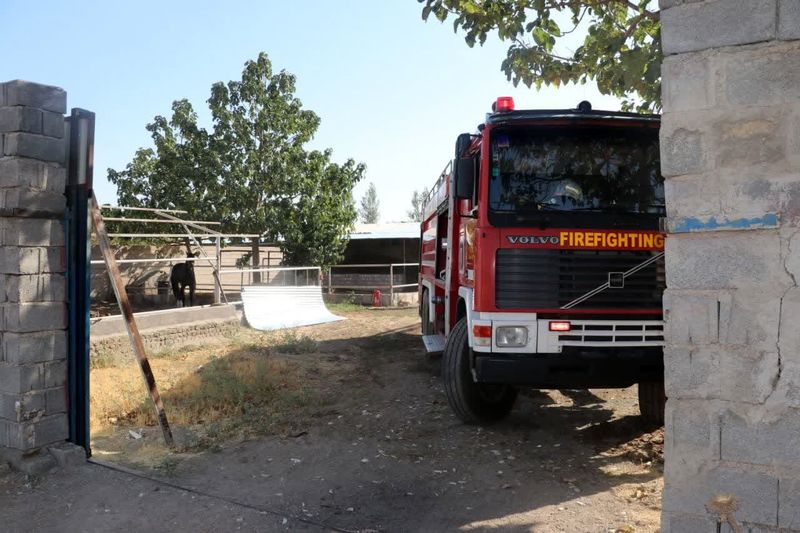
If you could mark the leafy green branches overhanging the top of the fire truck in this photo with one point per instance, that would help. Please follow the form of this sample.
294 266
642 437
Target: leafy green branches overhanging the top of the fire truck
621 50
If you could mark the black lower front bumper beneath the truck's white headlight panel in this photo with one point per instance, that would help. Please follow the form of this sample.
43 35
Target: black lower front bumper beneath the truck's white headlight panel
573 368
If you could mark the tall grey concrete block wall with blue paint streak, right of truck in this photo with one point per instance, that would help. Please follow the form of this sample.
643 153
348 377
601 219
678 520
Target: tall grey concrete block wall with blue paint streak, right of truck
731 158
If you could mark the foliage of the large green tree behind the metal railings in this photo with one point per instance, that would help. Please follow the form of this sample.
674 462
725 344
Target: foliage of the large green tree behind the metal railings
251 170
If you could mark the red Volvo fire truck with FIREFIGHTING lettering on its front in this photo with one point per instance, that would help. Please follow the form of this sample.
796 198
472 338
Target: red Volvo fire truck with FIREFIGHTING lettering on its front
542 261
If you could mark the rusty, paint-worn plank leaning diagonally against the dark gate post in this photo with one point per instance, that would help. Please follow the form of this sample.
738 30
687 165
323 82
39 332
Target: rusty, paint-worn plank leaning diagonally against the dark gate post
130 322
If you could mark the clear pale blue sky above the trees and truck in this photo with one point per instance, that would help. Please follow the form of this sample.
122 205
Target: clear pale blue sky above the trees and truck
391 90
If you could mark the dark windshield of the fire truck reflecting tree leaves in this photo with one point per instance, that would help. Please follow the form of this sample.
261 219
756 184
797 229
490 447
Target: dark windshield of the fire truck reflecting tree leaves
575 177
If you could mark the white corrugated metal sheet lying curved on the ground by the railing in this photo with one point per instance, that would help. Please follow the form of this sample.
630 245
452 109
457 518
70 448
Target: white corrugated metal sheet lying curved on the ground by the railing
268 308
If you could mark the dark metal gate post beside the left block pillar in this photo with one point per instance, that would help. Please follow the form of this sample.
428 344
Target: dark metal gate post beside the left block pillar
79 131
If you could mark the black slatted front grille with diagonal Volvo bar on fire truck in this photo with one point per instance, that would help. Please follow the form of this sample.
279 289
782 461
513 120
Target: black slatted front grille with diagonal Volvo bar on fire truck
536 278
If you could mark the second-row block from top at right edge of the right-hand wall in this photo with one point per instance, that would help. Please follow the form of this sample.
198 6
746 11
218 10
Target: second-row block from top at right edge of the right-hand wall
769 77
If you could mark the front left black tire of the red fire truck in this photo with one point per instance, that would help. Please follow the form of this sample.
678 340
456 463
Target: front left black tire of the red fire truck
473 403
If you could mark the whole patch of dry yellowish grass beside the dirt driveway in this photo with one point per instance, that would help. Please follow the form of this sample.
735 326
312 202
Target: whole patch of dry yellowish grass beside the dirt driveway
232 387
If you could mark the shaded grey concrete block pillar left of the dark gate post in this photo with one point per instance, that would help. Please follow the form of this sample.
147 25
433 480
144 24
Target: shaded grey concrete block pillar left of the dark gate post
33 337
